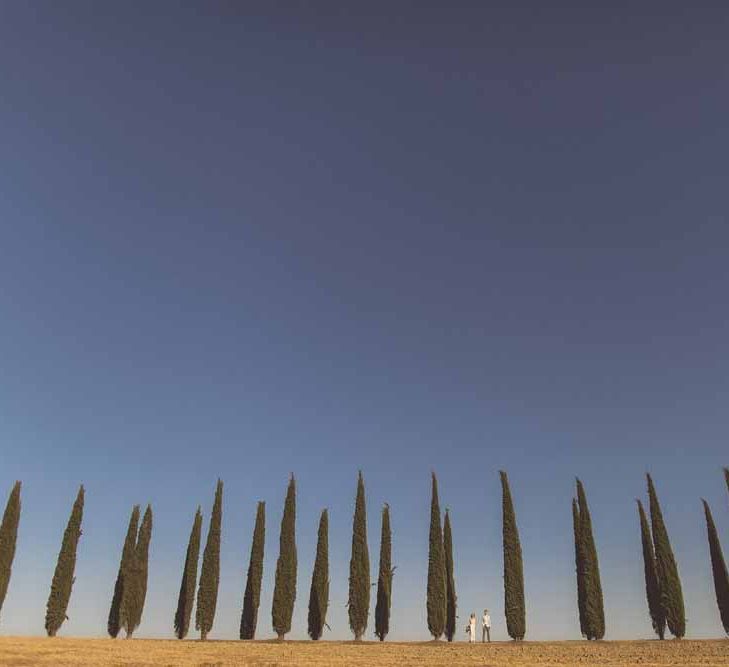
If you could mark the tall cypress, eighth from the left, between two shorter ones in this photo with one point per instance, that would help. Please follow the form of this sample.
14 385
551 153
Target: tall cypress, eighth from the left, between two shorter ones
284 590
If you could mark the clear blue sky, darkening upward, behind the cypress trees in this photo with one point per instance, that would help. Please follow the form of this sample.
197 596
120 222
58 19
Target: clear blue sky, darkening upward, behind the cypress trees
242 240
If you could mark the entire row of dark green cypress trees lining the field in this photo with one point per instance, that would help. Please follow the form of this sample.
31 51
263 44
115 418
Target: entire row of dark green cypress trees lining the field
662 582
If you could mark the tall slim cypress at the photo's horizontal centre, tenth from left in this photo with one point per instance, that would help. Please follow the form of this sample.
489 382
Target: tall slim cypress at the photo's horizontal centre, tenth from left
359 567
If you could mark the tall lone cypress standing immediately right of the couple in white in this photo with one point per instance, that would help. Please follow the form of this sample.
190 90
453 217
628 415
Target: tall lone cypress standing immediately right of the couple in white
513 567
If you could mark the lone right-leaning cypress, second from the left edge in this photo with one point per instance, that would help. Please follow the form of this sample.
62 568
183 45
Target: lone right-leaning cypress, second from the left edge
63 576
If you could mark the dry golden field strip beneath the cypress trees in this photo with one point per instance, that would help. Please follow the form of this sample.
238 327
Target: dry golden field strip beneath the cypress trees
63 651
